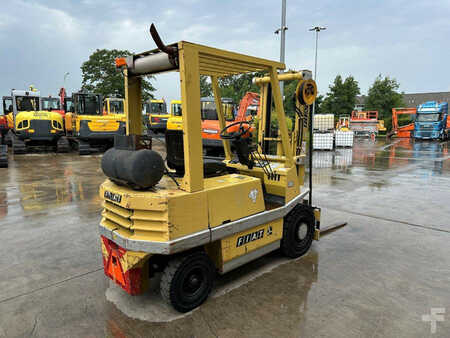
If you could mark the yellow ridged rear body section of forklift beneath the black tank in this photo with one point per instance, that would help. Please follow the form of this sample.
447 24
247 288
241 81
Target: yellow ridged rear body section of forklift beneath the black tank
160 215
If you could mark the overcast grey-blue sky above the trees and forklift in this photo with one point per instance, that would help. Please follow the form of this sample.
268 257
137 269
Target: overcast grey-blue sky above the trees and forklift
405 39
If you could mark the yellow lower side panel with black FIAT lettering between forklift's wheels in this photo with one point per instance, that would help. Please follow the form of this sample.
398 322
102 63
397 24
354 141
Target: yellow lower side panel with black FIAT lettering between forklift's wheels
252 239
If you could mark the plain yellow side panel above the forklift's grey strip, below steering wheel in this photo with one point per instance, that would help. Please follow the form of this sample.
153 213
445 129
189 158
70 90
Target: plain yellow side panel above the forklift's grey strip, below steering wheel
231 197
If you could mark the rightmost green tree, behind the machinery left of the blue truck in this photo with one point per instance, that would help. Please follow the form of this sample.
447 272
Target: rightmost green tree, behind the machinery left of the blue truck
383 95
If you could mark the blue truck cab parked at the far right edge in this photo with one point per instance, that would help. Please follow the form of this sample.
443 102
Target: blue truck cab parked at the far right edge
431 121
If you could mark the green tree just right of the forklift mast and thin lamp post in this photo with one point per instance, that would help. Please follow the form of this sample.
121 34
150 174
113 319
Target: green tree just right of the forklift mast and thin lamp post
341 97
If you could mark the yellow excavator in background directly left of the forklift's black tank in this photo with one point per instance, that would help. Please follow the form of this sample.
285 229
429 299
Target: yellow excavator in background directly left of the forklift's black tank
86 126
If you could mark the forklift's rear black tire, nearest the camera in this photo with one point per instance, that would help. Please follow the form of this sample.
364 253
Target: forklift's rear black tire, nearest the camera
187 281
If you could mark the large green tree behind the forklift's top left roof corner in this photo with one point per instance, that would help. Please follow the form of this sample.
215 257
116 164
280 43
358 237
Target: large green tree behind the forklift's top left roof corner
101 76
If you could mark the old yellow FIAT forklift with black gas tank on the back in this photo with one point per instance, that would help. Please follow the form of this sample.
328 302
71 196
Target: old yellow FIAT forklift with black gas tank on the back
155 220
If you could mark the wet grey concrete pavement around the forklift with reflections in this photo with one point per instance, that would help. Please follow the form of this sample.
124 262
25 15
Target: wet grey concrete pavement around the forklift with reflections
375 277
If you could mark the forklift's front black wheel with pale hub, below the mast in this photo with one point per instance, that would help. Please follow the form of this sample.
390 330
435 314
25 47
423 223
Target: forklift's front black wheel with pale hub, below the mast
298 232
